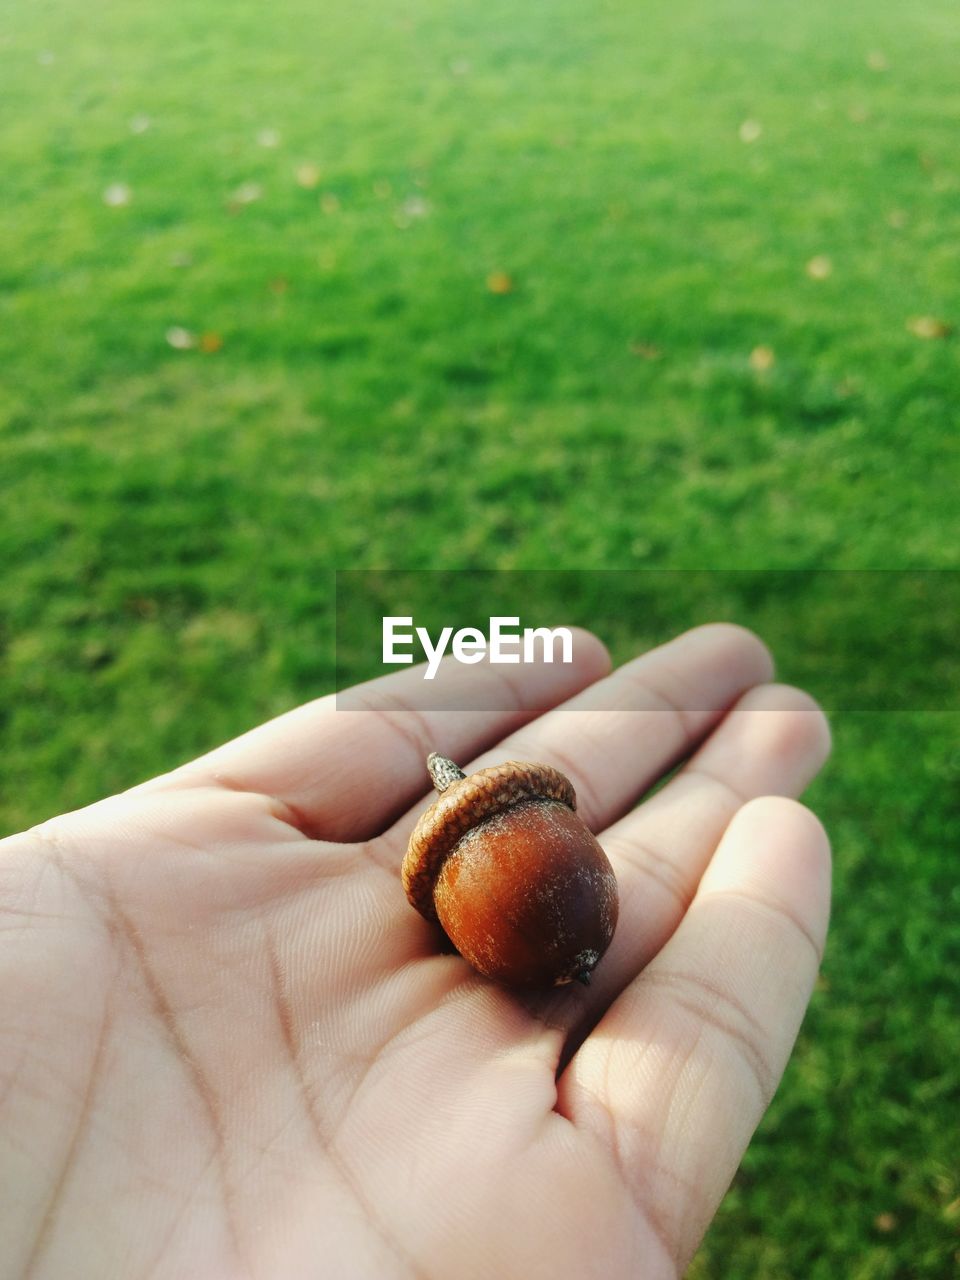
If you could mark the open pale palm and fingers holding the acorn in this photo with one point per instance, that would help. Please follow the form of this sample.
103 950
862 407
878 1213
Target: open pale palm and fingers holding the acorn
230 1050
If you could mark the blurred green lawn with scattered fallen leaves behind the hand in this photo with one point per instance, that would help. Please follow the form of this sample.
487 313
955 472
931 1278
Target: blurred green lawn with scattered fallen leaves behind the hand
299 287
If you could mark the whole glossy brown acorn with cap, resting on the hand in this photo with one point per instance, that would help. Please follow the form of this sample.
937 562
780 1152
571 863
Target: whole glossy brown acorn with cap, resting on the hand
506 866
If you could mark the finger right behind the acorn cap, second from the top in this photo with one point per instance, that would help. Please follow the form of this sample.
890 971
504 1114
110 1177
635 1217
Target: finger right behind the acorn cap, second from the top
615 739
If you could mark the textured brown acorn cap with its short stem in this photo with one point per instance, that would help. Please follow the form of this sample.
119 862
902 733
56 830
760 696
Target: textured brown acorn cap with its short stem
464 804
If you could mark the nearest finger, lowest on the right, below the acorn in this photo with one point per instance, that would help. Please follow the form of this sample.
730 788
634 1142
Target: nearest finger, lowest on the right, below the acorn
679 1073
